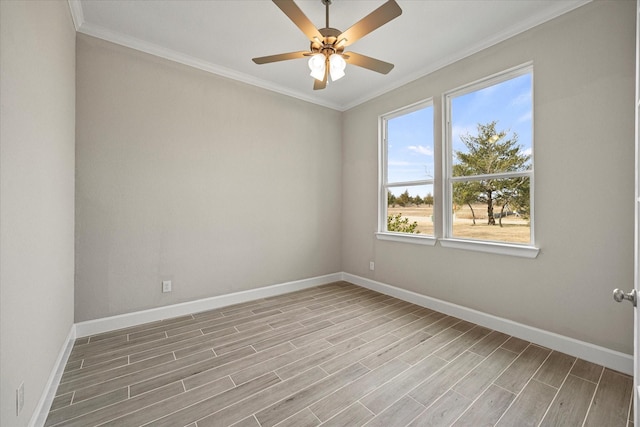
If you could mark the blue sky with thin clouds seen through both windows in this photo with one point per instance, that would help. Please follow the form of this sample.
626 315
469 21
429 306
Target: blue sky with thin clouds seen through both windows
410 136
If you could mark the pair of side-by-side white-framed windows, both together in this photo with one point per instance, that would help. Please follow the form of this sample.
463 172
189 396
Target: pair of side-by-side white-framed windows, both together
483 179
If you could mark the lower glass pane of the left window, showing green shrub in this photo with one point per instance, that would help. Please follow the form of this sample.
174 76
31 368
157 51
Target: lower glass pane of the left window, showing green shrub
410 210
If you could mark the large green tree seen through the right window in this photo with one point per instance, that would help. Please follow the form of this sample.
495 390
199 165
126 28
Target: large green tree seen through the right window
491 152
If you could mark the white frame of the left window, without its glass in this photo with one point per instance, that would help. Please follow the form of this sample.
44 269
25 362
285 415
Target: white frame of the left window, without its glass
384 185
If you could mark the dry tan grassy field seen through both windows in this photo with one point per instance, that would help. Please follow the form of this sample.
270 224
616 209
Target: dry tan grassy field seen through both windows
514 229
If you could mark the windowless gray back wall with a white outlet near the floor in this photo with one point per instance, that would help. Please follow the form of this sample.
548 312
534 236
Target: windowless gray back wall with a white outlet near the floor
186 176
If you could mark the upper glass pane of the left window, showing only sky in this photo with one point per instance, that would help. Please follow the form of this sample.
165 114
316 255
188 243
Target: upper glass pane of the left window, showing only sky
410 146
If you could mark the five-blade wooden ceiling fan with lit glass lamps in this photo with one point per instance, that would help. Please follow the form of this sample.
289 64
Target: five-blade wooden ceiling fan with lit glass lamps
326 54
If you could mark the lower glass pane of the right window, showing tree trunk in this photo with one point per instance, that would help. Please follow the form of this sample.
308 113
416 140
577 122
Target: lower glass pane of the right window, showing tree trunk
497 210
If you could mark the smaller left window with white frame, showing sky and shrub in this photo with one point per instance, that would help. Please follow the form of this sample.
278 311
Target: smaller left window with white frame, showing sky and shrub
407 201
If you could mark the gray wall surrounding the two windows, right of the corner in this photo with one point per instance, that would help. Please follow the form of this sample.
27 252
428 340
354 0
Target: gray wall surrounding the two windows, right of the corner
584 163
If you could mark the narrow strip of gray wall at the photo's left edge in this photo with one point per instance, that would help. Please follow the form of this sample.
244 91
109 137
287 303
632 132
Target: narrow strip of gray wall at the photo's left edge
37 58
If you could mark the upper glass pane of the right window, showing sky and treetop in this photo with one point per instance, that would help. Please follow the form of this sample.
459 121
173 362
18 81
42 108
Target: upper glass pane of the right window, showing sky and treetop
492 128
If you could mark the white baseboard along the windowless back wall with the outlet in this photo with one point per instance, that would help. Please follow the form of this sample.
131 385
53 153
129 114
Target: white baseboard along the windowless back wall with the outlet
106 324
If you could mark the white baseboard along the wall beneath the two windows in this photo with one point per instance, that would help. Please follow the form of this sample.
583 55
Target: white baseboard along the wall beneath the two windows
615 360
